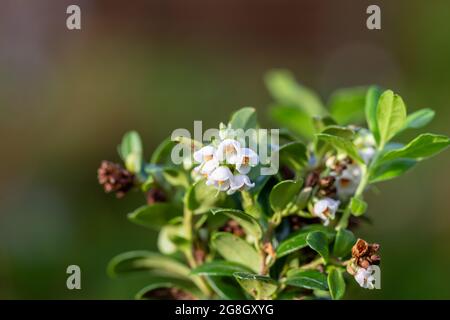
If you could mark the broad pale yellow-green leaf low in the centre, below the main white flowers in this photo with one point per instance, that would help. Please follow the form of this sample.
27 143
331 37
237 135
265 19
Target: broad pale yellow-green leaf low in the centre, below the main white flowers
237 250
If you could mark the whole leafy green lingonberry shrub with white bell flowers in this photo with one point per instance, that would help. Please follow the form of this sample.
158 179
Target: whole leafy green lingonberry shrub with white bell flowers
228 231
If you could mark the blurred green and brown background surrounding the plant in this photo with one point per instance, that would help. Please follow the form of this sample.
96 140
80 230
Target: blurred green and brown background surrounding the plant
66 98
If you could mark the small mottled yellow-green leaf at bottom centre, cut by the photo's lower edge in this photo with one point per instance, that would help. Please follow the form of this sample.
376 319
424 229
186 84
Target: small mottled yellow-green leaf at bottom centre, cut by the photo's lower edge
259 287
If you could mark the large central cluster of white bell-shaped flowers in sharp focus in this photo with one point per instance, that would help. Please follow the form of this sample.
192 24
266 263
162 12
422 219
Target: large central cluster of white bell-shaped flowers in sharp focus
226 165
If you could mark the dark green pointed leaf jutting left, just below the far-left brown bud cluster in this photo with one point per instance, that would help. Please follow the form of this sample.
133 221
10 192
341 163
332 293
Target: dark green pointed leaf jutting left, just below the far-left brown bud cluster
156 215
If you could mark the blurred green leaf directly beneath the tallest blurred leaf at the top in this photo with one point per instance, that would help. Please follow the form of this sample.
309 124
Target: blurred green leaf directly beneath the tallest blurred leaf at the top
294 119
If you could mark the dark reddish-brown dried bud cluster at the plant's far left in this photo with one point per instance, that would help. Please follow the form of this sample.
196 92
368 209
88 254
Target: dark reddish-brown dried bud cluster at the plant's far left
114 178
